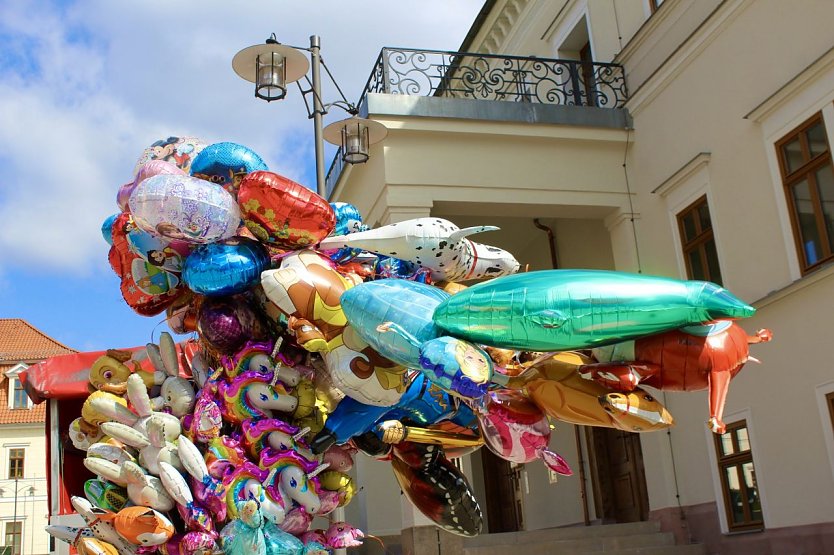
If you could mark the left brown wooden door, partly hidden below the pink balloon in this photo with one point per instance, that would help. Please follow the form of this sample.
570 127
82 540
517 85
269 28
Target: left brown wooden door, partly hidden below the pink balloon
504 501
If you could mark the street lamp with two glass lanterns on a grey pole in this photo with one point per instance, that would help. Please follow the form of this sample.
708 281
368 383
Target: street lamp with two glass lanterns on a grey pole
272 66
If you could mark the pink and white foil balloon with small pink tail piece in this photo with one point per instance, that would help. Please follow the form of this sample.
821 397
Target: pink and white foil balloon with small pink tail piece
516 430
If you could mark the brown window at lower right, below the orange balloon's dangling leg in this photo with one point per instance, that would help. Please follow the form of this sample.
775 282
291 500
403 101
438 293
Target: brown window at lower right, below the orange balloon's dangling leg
738 478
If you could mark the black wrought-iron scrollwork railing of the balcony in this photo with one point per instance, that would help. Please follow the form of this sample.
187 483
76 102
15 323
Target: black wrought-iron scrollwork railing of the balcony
590 87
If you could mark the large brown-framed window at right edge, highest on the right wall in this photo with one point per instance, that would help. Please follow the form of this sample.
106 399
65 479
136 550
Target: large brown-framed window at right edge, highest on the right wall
808 177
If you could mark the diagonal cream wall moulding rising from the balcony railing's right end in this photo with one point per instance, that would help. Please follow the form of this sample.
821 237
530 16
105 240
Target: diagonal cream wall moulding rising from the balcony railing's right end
685 54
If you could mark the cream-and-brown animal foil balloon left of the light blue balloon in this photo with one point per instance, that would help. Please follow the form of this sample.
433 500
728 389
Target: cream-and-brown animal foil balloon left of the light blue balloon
307 290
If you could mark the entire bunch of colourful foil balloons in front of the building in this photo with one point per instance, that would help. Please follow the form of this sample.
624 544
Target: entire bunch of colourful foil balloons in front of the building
314 337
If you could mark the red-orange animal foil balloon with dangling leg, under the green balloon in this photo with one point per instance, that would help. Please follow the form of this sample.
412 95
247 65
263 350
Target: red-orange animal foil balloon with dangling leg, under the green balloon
689 359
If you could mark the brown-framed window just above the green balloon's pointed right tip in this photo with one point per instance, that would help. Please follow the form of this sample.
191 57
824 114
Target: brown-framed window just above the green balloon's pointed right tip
698 242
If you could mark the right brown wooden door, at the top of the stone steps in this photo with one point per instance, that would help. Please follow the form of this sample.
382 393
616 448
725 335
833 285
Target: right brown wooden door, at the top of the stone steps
619 480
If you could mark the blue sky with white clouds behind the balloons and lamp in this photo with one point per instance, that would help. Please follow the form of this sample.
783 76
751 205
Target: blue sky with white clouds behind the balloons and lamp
87 85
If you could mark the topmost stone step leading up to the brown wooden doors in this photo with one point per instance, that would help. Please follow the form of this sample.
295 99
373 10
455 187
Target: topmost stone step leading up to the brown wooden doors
563 533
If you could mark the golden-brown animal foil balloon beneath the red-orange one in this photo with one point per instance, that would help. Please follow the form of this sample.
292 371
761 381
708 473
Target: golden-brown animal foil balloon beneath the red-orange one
554 384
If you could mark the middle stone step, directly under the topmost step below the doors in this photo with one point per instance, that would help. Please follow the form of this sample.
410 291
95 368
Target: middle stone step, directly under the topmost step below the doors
607 544
